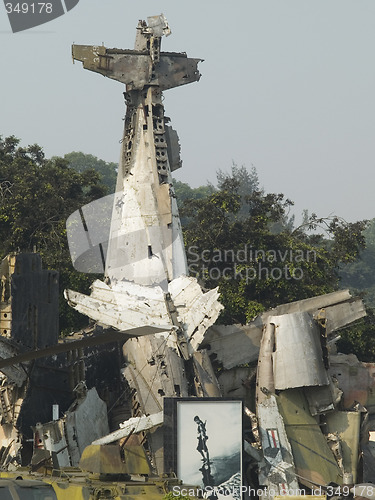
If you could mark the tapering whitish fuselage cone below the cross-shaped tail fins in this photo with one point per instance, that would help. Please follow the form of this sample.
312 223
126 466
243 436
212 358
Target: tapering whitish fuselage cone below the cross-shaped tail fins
141 246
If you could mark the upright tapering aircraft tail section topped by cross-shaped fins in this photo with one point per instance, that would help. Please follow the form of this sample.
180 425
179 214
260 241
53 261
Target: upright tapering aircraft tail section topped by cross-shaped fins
145 243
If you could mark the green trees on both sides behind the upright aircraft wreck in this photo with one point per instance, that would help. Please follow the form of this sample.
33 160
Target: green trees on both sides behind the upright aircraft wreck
237 237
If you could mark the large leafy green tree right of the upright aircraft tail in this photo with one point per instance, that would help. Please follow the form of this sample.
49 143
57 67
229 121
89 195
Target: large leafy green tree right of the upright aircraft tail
232 243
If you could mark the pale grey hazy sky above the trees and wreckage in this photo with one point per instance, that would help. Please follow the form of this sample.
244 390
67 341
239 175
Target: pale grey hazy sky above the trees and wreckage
287 86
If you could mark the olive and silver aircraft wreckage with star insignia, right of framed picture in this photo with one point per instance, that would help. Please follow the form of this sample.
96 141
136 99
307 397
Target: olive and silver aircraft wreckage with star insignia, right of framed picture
315 434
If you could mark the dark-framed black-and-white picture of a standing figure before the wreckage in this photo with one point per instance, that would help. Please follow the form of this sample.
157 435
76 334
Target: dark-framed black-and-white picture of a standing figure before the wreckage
203 443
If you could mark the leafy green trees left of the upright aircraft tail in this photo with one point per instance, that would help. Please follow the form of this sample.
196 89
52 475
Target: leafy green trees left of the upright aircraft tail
36 198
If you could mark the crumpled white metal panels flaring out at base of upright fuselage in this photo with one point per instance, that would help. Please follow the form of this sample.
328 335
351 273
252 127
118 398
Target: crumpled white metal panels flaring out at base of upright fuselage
127 305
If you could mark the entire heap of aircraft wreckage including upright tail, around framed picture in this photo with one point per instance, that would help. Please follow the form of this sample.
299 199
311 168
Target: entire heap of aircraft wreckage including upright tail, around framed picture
309 410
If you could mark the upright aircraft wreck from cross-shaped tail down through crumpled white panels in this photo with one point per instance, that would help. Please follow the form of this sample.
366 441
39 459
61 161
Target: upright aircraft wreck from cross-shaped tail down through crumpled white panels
145 266
